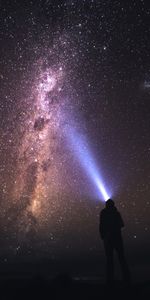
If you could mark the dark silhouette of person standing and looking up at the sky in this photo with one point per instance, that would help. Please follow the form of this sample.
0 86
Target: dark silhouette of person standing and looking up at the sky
110 231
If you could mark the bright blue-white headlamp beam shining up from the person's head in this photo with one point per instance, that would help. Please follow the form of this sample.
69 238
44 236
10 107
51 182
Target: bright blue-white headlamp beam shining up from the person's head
82 152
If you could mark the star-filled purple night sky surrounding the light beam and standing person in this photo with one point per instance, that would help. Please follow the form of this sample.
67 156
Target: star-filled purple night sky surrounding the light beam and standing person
84 64
